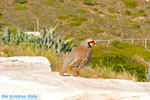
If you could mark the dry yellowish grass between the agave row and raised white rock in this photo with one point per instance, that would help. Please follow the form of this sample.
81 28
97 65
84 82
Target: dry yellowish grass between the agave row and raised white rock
27 50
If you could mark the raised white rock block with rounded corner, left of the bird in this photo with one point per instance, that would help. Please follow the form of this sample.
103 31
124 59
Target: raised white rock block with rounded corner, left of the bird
24 63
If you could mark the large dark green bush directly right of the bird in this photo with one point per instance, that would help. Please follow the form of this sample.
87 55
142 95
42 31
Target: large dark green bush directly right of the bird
119 64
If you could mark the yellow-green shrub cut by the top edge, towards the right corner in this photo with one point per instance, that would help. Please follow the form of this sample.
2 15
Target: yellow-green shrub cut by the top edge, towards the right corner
130 3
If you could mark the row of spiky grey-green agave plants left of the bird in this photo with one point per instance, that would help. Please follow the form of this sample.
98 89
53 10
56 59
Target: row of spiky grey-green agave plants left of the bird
48 40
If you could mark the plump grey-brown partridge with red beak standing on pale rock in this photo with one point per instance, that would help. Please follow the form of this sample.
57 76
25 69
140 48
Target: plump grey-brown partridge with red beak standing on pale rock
78 57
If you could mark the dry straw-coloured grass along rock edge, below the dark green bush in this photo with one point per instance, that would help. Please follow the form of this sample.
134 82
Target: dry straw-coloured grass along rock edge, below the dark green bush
106 73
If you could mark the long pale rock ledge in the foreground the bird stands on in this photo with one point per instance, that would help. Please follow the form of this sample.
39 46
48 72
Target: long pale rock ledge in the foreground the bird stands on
52 86
